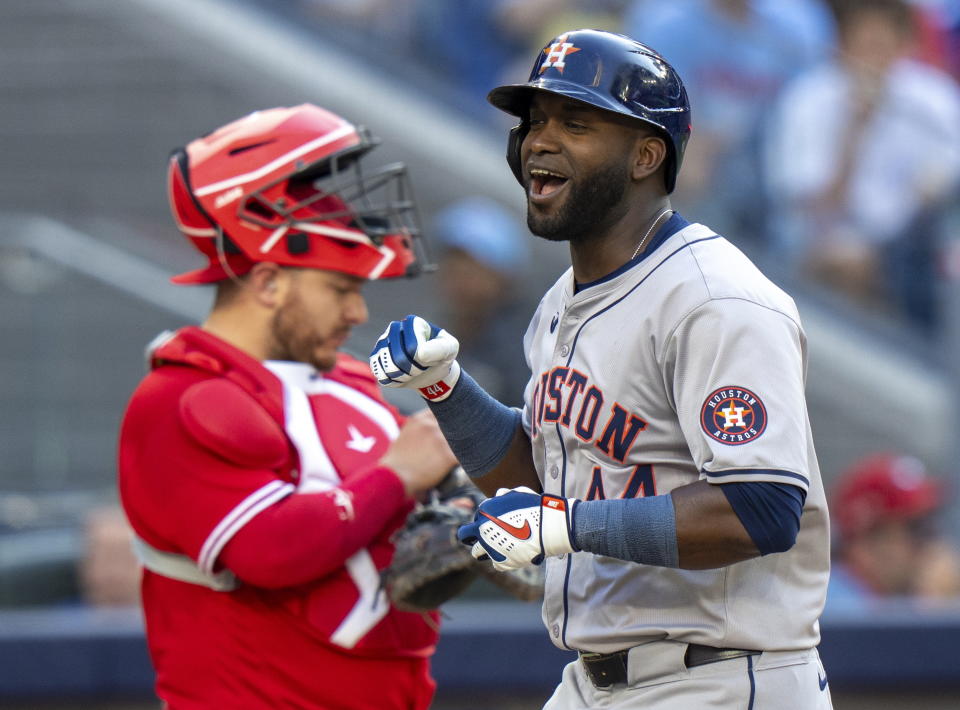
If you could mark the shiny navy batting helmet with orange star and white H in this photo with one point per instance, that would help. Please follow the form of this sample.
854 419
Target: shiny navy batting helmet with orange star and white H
608 71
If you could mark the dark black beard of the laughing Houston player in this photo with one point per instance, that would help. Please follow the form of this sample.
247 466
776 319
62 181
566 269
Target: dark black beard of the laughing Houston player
586 209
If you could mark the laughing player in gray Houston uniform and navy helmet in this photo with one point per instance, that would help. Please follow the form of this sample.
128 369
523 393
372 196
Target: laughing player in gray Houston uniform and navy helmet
662 468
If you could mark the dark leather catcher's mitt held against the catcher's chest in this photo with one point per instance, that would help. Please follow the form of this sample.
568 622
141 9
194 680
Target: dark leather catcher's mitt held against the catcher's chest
430 566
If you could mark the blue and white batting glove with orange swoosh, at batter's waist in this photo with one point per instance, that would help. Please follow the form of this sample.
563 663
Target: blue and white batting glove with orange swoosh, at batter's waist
518 527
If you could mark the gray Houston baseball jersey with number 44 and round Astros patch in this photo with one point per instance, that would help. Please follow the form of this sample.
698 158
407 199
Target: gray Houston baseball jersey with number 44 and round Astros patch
689 364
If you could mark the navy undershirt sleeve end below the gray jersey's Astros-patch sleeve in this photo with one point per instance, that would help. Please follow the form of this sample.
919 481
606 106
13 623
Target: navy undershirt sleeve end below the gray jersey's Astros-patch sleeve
770 512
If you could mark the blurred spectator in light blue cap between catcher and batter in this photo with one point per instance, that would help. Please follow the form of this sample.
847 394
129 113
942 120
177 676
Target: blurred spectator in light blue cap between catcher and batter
484 253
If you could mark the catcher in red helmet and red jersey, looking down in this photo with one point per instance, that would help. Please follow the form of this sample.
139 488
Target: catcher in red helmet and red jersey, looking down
261 471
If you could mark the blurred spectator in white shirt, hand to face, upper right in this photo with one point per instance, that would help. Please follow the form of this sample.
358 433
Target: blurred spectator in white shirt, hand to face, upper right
862 152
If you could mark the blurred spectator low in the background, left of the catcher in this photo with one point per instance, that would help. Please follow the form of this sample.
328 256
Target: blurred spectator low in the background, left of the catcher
109 573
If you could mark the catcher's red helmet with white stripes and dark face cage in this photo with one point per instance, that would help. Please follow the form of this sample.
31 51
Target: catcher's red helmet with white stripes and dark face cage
285 185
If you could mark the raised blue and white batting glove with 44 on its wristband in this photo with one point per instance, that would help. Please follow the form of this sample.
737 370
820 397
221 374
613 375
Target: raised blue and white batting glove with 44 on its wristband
416 354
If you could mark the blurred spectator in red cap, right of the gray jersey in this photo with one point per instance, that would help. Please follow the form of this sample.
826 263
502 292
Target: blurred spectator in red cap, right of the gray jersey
888 546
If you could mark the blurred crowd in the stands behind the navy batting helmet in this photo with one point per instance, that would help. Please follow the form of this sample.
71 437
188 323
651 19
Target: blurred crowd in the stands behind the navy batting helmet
826 133
